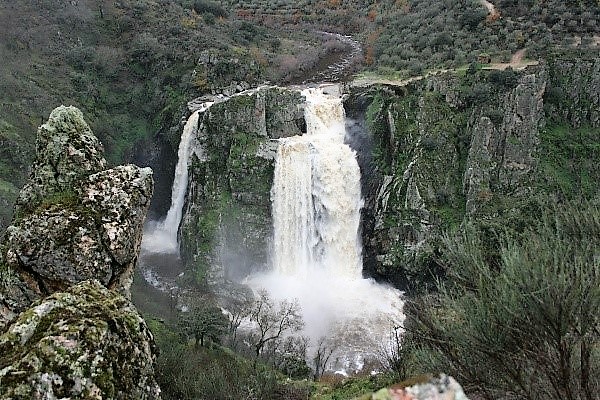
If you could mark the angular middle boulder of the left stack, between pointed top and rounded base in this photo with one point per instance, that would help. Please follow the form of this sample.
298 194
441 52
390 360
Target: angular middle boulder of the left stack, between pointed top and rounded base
94 233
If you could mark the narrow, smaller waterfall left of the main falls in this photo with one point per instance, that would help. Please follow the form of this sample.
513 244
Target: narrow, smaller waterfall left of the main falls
162 236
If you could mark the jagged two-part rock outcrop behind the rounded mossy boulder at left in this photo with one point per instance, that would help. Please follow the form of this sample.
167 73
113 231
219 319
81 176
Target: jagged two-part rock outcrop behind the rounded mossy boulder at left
84 224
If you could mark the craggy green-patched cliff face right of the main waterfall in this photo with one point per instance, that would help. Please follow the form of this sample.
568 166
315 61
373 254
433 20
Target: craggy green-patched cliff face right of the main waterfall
483 147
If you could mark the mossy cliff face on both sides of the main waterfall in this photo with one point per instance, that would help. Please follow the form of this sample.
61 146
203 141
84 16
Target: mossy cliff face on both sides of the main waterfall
435 152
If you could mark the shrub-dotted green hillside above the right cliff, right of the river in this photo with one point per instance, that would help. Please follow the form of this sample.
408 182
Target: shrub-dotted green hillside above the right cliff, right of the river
414 35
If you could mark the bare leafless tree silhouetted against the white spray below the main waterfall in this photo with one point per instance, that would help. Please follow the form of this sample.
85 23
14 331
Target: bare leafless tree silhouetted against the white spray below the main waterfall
272 322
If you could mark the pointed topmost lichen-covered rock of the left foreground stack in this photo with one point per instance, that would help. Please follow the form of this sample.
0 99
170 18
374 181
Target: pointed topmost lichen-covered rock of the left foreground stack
66 152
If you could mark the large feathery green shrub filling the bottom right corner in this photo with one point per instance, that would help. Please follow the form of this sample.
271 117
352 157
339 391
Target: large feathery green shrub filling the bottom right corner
520 316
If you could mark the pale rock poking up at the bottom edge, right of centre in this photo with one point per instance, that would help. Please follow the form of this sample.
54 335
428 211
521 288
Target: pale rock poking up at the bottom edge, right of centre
442 388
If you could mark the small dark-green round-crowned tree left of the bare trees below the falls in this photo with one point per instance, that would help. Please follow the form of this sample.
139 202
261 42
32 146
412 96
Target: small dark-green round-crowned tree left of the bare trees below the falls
203 321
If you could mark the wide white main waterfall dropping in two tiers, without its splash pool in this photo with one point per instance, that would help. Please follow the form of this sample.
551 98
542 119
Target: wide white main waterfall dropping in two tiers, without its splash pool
316 195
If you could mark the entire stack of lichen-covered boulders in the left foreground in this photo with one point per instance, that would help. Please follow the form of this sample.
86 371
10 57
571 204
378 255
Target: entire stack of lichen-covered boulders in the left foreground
76 223
